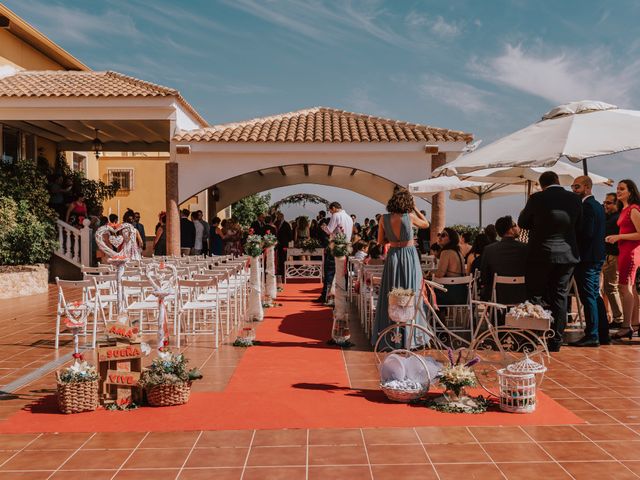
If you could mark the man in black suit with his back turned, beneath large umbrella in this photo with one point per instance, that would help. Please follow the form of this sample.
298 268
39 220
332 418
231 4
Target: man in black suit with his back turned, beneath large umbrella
553 218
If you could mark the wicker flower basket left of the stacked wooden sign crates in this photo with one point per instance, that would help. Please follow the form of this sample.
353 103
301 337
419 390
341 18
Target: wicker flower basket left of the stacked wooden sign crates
77 388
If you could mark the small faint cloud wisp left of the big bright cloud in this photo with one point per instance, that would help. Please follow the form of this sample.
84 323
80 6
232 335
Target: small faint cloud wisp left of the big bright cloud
459 95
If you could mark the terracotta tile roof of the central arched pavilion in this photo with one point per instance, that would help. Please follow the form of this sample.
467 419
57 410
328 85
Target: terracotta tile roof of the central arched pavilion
324 125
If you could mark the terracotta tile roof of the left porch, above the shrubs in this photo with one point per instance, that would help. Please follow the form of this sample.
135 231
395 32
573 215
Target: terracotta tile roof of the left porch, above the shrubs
61 83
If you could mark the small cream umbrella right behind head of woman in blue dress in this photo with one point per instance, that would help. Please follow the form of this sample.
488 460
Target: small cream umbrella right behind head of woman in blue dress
463 190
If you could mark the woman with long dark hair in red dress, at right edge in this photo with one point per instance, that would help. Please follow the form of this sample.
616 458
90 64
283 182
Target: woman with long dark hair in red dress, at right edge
629 259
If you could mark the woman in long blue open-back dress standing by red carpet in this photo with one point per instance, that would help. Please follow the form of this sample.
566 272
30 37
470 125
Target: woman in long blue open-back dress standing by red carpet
402 264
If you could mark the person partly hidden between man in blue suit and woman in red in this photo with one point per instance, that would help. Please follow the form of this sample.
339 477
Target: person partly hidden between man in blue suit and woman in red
610 267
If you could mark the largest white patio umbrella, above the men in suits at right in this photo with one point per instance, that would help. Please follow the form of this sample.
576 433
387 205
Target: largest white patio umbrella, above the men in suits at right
577 131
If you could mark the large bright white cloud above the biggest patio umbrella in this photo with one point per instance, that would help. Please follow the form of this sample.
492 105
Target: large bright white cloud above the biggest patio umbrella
564 76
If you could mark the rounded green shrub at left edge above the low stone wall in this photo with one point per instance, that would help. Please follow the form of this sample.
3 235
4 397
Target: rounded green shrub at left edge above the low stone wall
26 235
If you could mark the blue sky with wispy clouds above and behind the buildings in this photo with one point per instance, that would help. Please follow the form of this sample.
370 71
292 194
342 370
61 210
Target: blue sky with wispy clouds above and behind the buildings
486 67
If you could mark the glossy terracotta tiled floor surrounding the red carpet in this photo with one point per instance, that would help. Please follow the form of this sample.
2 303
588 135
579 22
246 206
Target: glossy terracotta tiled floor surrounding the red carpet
601 386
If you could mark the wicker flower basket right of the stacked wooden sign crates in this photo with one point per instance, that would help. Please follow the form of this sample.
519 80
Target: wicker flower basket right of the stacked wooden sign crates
167 380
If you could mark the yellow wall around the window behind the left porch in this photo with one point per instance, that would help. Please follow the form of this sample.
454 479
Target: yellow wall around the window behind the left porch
148 194
